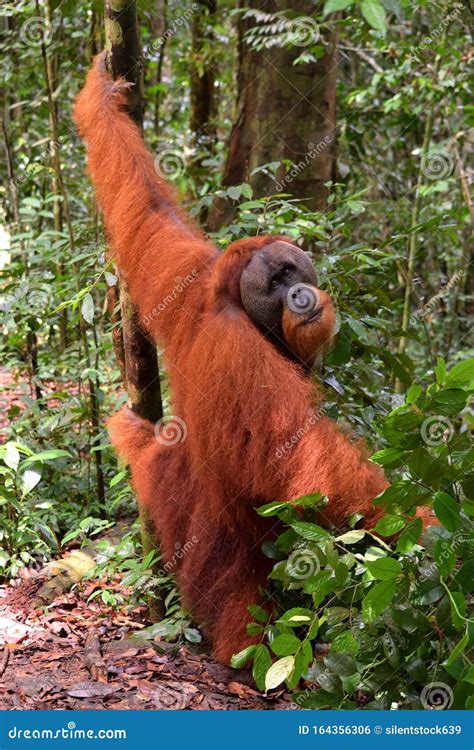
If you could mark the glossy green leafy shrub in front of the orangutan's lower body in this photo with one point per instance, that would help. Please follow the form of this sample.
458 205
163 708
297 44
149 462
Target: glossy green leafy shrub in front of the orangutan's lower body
368 621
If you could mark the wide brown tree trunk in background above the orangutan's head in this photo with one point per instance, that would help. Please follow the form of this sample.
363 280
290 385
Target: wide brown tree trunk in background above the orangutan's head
284 112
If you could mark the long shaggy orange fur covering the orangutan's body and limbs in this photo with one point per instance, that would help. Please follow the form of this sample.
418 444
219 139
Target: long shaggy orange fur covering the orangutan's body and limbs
241 400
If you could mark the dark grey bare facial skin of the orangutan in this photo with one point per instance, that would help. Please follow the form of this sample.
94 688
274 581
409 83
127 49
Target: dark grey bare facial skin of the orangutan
267 280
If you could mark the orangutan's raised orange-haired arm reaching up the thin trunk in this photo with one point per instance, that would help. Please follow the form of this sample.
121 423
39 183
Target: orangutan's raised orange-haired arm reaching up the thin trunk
162 254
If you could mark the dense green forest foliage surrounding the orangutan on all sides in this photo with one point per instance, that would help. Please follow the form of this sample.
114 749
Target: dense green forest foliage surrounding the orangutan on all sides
386 621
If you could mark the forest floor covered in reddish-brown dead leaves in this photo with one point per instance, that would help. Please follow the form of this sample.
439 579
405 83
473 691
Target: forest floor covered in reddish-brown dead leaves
78 653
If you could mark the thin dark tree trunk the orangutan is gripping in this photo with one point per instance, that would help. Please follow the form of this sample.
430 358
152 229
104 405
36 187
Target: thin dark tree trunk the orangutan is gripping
141 360
